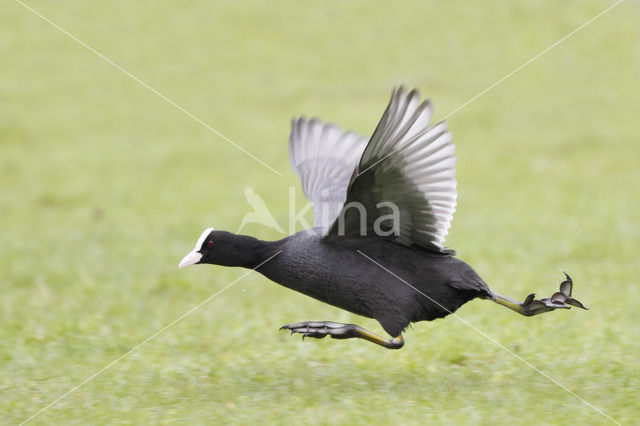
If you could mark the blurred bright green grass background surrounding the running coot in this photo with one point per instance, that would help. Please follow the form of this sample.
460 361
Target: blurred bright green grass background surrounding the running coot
104 186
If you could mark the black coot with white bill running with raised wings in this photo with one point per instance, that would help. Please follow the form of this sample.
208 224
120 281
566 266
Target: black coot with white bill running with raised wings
382 208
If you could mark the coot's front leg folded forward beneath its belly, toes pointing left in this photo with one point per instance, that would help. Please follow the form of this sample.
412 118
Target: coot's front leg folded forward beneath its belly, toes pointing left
320 329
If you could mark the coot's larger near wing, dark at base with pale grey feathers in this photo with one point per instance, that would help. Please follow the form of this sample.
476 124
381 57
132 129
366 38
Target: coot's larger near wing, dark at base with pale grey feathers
408 166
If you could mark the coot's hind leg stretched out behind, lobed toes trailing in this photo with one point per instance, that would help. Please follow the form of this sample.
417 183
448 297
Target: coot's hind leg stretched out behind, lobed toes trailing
559 300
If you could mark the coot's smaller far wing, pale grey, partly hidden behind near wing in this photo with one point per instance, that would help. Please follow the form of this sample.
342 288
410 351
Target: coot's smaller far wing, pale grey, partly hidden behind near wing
324 158
